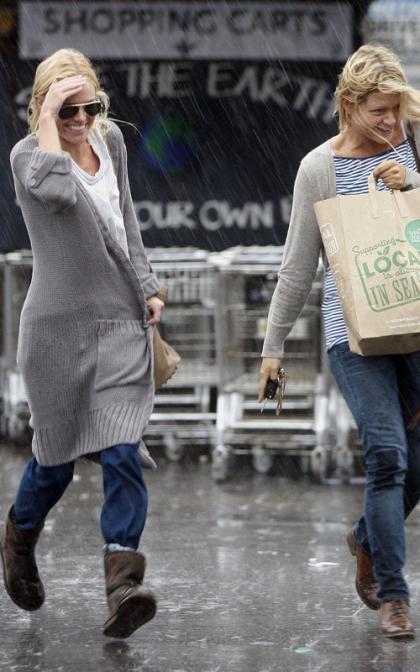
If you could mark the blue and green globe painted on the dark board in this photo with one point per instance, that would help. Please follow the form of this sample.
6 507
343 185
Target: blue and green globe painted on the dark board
169 143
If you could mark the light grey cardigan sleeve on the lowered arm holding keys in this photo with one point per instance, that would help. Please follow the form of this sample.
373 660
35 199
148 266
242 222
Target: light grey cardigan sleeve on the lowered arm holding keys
298 269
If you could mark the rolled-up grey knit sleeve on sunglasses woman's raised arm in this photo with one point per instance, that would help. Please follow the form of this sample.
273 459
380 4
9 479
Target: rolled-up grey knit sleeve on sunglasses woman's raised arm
46 176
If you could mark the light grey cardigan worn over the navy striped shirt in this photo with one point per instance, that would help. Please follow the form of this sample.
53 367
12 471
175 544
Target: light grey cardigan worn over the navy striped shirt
315 181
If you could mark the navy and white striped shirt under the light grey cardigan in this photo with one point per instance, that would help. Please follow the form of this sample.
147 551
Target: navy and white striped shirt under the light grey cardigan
351 178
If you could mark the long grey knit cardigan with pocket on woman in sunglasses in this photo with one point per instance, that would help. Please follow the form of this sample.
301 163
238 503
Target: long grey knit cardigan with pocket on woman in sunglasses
84 349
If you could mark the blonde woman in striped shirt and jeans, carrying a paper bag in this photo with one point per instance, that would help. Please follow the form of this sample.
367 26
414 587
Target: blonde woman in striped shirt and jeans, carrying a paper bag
377 111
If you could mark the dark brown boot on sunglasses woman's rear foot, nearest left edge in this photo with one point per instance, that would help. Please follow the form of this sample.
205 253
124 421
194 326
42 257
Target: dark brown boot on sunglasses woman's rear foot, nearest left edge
21 578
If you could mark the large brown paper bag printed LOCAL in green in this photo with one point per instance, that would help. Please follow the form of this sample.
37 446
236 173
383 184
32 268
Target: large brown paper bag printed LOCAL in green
372 242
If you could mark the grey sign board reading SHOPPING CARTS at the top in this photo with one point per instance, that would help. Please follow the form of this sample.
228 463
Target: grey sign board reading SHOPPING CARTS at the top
293 31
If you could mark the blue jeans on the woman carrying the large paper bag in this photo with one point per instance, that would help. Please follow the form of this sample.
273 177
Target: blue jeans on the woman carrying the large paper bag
383 394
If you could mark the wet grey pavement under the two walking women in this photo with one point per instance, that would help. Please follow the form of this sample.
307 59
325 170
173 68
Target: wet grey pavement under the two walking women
251 576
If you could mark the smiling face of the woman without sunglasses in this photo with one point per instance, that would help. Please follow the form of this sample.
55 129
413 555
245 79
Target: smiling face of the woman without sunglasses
378 118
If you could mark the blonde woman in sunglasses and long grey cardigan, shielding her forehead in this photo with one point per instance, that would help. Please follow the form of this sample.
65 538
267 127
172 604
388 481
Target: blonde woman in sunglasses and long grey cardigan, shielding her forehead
85 338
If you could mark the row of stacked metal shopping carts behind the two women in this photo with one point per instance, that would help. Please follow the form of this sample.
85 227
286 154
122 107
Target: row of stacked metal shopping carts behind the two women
215 317
